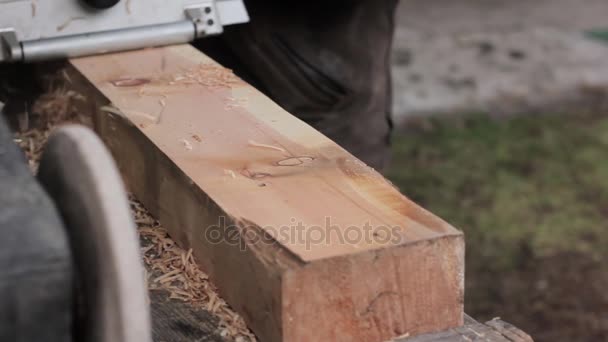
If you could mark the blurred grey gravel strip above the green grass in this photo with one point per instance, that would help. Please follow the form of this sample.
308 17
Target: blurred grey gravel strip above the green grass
498 57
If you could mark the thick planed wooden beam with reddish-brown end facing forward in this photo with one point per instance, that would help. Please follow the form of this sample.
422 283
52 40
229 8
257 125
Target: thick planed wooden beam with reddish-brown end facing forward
302 239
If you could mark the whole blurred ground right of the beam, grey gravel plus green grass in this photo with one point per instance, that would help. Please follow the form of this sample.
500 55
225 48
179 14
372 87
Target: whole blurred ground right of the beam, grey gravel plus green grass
501 109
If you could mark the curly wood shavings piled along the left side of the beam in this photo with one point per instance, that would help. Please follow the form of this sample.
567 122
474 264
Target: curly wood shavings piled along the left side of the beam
168 266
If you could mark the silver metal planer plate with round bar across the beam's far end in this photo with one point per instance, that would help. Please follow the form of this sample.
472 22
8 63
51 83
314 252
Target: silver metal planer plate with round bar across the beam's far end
35 30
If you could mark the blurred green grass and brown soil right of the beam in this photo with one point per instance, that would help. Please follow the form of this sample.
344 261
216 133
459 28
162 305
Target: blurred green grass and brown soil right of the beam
531 195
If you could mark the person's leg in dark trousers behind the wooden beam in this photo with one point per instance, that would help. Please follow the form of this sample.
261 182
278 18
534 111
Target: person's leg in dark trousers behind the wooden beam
328 64
